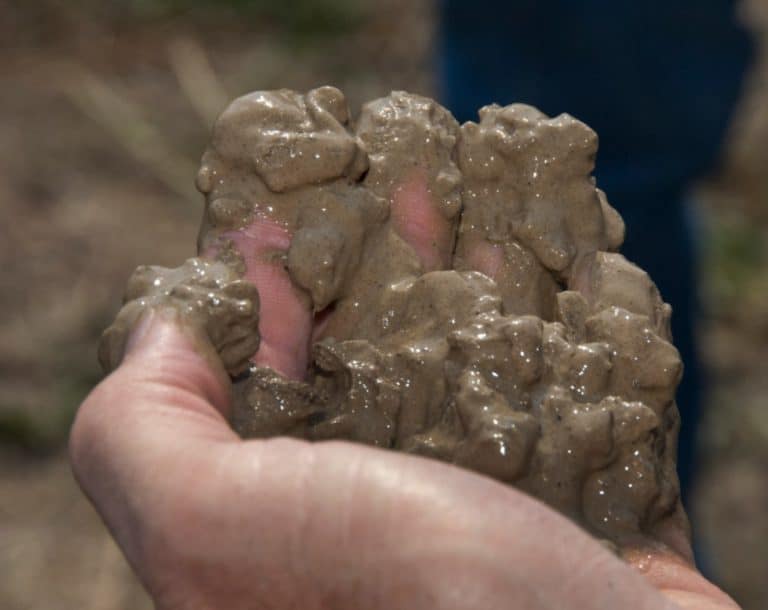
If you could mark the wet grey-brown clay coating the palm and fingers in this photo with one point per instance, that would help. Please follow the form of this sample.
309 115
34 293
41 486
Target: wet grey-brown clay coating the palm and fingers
515 341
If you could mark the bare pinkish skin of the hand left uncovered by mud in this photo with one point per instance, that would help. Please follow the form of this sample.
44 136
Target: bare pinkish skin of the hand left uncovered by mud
209 521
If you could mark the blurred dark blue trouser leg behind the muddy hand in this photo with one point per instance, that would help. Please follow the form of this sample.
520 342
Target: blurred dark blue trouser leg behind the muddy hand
656 79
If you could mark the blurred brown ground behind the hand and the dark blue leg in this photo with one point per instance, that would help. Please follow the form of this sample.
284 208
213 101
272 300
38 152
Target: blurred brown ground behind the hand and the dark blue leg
105 108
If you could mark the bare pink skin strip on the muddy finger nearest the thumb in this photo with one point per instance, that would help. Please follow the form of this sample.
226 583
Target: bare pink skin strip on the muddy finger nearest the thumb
285 318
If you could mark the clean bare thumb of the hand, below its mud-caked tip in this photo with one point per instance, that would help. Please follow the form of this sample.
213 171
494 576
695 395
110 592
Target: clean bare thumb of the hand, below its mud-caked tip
133 433
